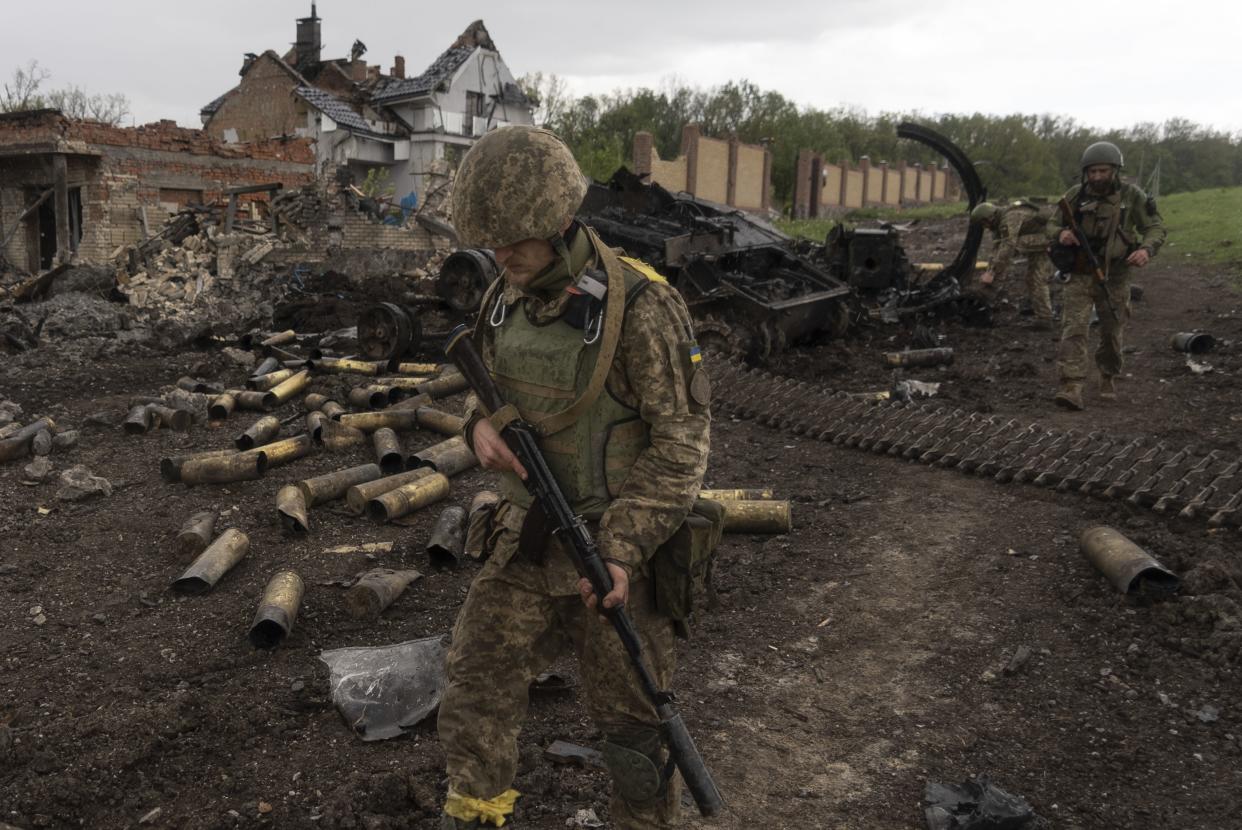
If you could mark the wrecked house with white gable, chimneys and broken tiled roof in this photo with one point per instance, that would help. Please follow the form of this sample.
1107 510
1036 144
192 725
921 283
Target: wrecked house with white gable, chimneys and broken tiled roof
366 120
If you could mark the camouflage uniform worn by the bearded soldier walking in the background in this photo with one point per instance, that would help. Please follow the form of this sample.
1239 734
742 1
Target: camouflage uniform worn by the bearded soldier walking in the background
1117 226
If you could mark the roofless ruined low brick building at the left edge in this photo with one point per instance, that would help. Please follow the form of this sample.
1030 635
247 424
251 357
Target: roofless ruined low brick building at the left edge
84 189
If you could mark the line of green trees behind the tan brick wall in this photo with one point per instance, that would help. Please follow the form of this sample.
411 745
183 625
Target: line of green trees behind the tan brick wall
1018 155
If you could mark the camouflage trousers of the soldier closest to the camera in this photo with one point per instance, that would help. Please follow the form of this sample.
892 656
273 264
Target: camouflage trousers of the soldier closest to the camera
512 627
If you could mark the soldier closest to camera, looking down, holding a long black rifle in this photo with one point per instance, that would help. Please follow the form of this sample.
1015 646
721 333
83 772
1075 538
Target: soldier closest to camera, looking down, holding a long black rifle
628 444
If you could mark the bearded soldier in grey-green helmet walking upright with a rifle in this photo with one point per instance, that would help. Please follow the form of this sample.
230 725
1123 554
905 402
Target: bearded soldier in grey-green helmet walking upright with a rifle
1123 229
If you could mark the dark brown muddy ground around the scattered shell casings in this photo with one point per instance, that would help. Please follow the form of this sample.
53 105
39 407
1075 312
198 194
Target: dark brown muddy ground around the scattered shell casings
849 664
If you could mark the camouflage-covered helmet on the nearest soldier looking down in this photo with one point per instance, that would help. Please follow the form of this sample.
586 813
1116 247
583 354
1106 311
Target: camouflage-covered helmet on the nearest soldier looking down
517 183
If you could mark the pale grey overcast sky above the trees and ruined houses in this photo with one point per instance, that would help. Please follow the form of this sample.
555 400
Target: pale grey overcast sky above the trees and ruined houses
1104 63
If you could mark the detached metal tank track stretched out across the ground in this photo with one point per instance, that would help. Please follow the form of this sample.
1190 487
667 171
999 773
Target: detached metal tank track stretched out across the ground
1168 480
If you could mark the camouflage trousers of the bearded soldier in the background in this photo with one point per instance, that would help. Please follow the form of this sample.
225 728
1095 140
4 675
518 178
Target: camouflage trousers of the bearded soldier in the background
1079 298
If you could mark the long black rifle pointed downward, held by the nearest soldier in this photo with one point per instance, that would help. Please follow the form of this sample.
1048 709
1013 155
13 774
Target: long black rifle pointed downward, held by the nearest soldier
572 530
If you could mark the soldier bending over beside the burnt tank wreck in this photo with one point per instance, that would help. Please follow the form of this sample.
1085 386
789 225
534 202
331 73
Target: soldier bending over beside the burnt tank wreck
1020 229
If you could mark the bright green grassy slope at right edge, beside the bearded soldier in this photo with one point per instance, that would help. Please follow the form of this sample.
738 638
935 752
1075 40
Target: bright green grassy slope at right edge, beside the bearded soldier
1204 226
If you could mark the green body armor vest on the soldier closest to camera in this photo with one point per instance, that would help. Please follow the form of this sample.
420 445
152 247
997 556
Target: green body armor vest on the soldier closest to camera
545 368
